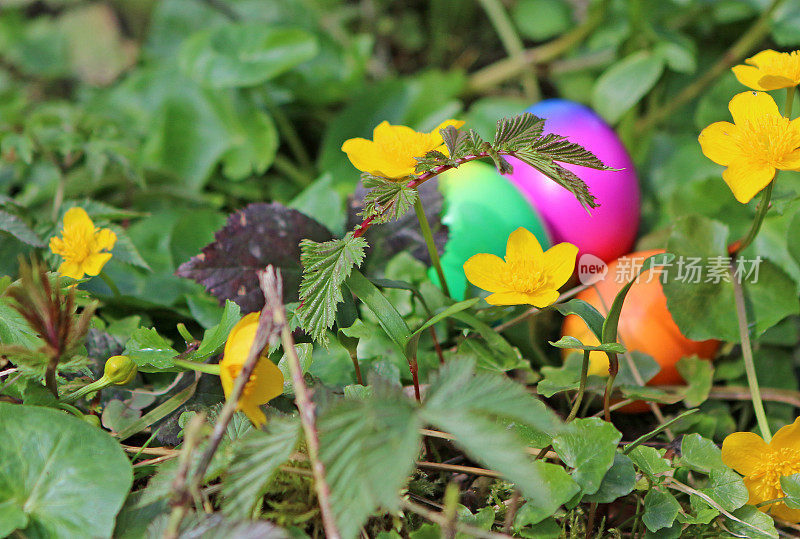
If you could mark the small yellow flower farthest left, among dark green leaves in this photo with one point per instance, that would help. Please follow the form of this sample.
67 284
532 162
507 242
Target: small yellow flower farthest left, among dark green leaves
82 245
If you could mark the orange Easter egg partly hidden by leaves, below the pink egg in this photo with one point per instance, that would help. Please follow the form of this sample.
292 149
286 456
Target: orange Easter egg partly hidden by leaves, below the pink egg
645 324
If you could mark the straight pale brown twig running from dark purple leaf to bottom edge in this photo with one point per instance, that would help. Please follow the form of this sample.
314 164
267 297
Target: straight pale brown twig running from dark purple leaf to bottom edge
271 285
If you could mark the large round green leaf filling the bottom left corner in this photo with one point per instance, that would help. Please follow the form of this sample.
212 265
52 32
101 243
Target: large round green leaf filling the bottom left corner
48 474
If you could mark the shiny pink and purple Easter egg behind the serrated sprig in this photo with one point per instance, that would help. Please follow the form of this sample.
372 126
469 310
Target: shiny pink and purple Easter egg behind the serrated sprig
607 231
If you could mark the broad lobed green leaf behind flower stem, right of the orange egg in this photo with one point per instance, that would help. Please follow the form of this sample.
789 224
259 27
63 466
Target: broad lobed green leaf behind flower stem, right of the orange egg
707 310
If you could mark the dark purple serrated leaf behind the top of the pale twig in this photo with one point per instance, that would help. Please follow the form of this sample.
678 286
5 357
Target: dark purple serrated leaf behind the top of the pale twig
254 237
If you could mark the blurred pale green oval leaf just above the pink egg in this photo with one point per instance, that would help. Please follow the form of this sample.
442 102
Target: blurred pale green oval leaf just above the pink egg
623 84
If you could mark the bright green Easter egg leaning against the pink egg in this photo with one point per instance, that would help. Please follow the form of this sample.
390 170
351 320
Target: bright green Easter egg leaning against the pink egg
481 208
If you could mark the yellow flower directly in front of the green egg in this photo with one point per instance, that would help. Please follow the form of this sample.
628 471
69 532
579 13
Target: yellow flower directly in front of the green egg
528 275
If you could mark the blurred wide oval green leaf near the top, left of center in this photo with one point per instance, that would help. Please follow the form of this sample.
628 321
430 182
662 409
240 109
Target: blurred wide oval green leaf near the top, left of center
245 54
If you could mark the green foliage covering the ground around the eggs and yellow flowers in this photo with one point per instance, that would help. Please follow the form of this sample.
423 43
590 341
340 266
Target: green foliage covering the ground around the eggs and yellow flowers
206 136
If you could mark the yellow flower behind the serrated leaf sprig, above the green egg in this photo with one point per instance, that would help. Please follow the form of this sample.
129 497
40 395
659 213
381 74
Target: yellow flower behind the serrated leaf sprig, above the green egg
391 154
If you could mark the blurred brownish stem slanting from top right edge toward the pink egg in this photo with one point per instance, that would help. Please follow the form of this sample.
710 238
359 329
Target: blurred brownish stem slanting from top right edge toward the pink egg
734 54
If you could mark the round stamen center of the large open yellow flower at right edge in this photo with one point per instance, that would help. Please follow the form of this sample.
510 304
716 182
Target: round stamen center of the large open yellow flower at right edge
768 139
